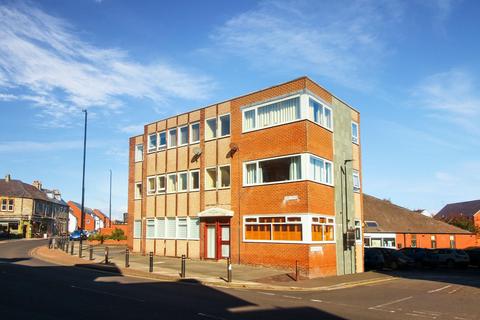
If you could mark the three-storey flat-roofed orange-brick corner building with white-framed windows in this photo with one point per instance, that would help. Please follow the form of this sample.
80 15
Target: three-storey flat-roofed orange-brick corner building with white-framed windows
269 178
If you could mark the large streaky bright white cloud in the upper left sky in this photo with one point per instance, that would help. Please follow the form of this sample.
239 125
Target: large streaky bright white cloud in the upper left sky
61 73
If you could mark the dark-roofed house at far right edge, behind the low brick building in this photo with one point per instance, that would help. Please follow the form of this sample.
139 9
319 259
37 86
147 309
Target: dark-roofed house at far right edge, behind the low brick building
469 210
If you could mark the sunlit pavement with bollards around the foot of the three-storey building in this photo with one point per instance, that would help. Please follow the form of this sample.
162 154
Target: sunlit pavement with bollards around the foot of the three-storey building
204 272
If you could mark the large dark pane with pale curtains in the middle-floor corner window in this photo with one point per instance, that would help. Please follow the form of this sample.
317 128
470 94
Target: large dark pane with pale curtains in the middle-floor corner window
283 169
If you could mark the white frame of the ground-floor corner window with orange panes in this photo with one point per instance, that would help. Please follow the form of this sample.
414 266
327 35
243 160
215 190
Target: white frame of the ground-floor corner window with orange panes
305 220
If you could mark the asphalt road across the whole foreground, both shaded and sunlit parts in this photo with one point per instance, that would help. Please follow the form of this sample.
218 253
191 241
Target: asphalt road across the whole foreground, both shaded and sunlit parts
33 289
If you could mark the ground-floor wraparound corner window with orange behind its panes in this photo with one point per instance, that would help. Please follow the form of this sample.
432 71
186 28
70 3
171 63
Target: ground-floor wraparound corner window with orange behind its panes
289 228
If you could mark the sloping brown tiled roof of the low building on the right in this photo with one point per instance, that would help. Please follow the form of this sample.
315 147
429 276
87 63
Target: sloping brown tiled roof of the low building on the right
395 219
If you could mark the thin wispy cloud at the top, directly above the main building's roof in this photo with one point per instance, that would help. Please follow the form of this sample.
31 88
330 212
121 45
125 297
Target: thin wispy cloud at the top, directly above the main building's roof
339 41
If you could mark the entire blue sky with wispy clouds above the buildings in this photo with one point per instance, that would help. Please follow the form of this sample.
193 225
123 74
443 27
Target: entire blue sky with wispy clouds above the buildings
410 67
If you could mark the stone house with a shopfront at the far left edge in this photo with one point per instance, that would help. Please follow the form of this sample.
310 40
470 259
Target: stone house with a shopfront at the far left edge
29 210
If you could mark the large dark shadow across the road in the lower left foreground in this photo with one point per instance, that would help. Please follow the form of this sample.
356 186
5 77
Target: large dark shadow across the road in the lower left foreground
62 292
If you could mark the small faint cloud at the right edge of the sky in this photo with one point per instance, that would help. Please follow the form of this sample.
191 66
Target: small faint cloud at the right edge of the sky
452 96
